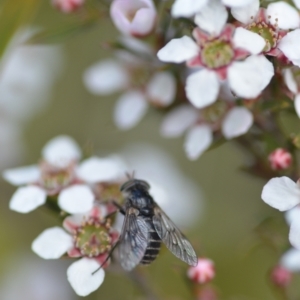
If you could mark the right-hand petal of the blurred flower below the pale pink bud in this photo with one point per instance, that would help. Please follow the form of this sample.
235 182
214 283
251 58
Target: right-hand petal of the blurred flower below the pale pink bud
161 88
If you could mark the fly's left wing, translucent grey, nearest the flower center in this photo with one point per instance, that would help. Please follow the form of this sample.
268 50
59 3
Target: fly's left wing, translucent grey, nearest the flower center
133 240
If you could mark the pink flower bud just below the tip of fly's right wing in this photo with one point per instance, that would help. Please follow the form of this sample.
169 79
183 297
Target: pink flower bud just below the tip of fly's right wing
203 272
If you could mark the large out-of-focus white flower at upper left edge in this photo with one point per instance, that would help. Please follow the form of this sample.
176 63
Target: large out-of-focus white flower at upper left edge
28 73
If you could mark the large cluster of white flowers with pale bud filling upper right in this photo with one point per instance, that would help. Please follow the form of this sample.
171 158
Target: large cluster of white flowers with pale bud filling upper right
226 65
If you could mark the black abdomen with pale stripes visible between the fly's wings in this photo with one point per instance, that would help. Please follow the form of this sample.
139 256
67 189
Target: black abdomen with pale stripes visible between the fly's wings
153 246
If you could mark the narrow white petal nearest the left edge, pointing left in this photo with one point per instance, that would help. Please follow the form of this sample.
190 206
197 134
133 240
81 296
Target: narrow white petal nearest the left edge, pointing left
23 175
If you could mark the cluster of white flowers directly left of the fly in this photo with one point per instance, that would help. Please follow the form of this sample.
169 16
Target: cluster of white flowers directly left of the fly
76 189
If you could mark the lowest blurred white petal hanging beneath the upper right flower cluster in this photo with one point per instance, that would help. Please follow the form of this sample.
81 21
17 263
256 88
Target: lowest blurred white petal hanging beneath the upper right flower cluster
197 140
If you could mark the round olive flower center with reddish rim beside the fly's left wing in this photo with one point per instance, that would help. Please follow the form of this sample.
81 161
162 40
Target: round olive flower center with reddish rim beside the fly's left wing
93 238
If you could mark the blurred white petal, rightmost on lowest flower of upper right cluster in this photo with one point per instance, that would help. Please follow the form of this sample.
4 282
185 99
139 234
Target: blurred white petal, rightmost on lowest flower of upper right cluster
237 122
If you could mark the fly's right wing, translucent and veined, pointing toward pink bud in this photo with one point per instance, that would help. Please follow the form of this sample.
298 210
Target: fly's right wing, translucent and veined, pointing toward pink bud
175 241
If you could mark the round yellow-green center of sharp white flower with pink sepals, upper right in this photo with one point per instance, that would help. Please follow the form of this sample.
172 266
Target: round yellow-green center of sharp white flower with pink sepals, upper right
217 53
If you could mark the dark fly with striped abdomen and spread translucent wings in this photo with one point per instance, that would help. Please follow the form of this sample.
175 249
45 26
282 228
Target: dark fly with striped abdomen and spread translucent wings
145 227
